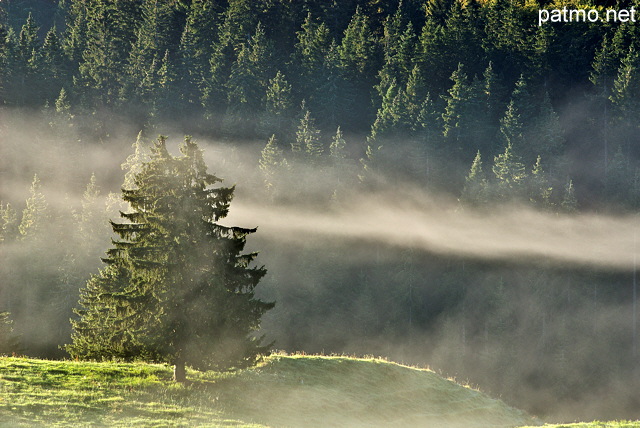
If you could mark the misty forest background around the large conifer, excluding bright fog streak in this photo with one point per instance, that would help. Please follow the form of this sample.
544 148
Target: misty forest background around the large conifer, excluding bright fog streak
468 98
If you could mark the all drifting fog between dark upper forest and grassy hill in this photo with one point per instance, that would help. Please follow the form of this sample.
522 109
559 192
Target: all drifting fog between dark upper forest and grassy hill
529 305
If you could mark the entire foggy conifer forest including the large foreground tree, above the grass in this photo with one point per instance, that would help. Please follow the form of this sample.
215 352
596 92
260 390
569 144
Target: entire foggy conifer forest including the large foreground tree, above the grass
451 183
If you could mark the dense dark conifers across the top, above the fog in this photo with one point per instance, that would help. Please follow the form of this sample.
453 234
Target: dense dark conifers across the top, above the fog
443 79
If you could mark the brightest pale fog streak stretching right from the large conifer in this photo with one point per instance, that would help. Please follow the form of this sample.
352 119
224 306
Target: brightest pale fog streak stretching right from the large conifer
434 224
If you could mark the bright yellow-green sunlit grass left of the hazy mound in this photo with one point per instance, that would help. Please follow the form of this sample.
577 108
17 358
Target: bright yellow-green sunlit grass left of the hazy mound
54 393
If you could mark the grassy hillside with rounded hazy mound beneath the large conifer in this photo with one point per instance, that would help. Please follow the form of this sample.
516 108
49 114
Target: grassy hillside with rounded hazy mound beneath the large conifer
284 391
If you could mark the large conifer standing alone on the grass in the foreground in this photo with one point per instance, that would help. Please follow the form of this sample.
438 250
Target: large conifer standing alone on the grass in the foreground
177 287
